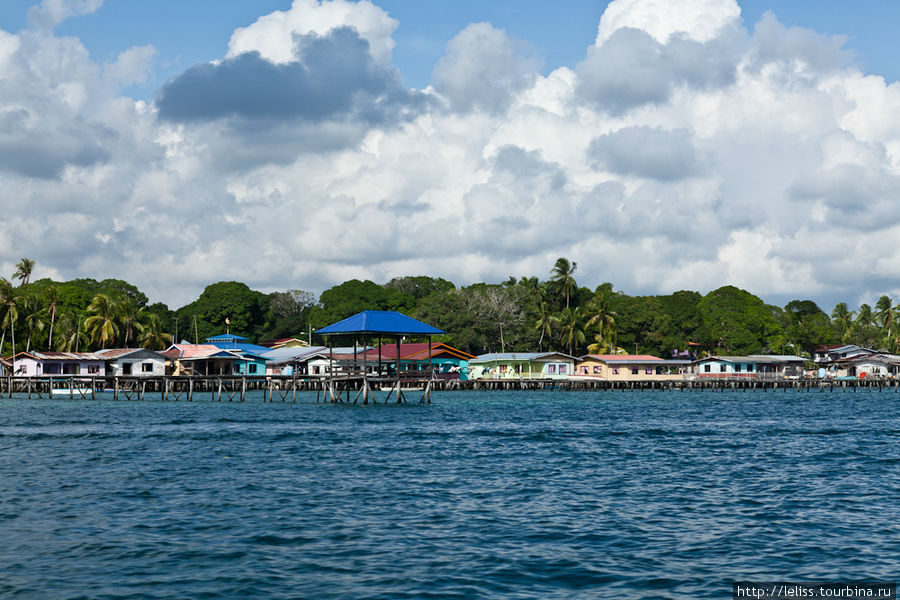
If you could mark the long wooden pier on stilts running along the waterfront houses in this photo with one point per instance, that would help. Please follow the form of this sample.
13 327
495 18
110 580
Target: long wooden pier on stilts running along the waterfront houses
353 388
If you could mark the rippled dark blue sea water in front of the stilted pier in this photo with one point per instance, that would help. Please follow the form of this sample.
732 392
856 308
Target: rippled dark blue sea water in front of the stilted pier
480 495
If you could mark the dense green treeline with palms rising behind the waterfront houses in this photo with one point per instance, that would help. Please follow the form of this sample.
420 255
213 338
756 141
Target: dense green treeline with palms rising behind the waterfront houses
525 314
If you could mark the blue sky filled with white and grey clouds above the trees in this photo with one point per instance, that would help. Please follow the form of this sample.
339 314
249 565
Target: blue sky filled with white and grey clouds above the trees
661 145
